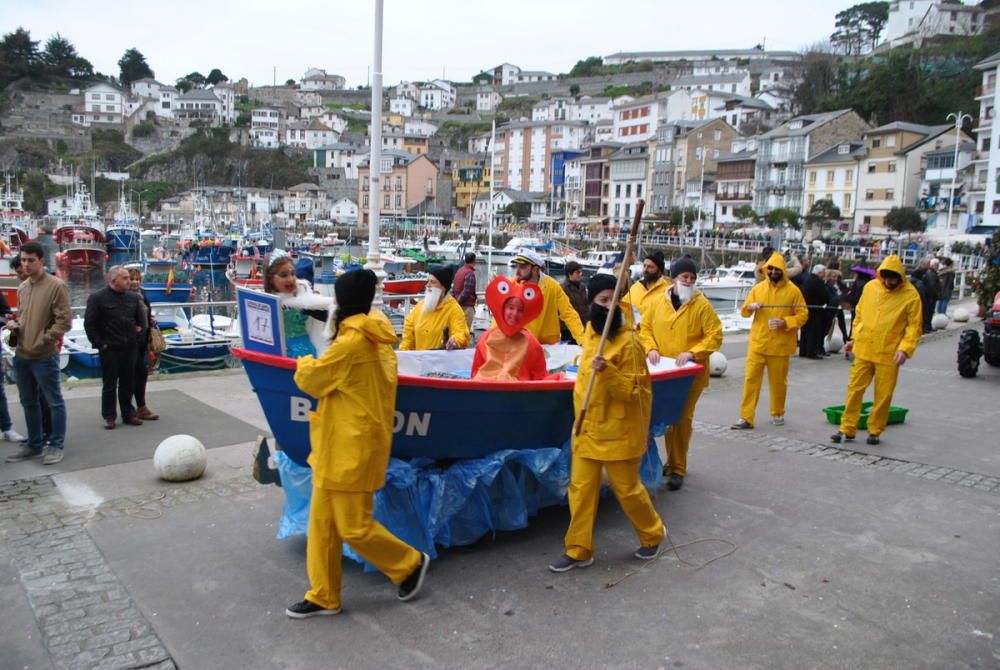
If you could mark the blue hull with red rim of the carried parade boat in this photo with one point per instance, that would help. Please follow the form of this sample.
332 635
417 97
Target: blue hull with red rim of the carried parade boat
451 418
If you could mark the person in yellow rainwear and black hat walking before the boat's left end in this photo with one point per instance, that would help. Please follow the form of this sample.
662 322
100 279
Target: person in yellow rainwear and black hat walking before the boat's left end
350 433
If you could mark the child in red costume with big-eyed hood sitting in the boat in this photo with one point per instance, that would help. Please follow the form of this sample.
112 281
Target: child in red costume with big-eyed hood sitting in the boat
508 351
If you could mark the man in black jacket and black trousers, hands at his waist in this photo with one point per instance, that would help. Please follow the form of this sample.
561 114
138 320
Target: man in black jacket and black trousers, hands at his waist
113 321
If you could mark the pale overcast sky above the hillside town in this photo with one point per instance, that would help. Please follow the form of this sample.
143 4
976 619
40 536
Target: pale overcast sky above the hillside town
423 38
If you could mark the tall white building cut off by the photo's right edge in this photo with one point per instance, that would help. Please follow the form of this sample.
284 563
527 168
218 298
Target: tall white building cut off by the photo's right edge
984 199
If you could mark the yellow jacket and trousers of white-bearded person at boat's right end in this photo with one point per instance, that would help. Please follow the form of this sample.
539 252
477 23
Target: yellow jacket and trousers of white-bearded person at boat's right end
696 328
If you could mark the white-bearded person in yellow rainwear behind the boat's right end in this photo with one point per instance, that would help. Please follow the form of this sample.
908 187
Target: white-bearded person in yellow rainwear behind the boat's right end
684 326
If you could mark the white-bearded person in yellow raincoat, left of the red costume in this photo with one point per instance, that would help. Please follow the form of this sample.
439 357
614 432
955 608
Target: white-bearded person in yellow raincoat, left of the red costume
437 321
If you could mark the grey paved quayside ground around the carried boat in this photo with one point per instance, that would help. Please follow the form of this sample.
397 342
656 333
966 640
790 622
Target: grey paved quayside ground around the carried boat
861 557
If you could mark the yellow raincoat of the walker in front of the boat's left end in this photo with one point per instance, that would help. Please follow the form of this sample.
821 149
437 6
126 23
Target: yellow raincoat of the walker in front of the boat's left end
355 383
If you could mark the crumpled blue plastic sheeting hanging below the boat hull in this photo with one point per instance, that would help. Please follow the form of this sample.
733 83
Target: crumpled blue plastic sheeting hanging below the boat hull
429 505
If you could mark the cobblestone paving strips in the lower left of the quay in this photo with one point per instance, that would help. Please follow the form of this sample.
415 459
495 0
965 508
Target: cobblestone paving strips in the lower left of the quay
87 618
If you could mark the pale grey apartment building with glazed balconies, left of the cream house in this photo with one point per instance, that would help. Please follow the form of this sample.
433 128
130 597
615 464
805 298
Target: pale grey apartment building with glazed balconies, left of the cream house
780 174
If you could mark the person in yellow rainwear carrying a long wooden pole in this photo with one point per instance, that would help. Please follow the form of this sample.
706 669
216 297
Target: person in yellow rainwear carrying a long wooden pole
614 434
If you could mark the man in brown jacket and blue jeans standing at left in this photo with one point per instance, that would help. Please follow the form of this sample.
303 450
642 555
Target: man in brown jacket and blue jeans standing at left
44 316
